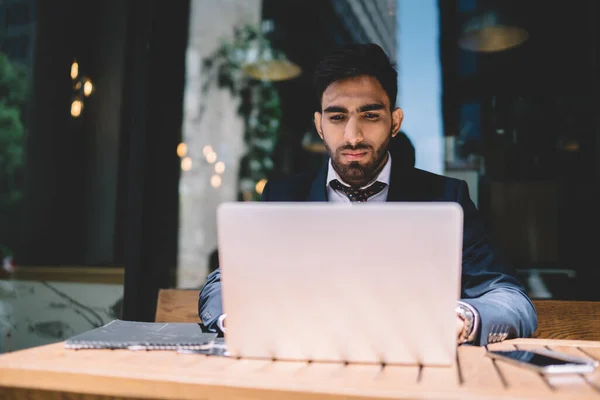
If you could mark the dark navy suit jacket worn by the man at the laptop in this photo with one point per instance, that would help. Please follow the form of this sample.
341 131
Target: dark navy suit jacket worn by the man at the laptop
488 282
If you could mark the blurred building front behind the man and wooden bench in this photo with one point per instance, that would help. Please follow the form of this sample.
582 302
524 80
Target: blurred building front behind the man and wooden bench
125 123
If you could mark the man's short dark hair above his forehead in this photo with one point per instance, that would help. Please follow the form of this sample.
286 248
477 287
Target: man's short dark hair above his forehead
355 60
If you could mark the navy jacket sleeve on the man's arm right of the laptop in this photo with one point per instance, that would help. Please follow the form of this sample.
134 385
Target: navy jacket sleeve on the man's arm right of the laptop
489 284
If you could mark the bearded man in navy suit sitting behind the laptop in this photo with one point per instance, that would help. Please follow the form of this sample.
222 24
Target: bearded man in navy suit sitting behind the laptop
357 120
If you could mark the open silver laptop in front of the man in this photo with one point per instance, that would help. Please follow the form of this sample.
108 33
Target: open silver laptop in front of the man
365 283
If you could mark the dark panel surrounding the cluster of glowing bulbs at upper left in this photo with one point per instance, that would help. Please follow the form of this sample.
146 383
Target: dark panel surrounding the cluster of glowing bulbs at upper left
72 166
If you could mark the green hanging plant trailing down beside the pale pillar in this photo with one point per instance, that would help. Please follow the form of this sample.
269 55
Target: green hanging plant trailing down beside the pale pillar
259 104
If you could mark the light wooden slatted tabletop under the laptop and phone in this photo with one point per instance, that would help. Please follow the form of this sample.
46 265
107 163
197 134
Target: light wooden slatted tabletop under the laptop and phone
51 372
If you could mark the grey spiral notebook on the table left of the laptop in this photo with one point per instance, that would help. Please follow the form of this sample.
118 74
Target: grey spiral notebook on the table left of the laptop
132 335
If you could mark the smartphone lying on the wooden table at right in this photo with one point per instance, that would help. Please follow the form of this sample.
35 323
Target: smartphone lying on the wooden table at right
546 361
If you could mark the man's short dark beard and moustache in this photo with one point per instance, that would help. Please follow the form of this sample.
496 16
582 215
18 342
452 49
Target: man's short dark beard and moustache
357 173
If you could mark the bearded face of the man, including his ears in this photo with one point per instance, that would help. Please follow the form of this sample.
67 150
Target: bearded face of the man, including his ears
356 124
